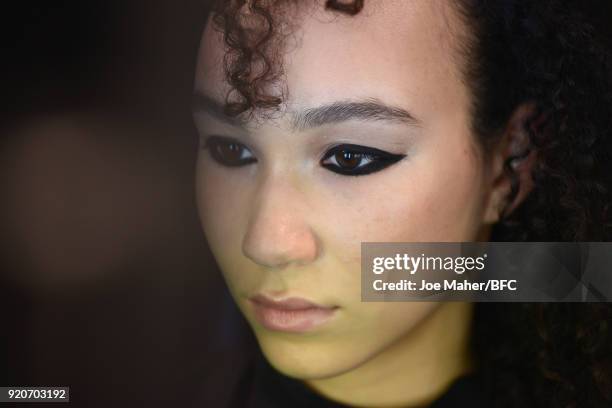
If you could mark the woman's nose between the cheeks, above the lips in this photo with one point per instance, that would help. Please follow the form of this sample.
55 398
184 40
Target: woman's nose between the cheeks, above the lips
278 233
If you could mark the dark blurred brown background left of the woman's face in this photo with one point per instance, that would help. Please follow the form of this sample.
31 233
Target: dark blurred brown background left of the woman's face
106 284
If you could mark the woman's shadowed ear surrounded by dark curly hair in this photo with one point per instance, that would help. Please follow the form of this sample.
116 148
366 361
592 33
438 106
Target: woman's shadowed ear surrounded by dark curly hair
512 161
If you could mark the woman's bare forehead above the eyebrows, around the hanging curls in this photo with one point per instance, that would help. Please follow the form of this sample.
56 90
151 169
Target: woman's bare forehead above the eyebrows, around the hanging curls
403 52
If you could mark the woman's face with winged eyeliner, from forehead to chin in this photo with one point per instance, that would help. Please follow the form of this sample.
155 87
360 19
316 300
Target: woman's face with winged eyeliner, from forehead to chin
372 143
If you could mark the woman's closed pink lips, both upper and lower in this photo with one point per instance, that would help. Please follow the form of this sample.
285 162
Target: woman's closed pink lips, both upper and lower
293 315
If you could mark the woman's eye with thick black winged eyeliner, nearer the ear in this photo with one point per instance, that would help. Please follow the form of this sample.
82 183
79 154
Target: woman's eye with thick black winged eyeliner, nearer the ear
355 160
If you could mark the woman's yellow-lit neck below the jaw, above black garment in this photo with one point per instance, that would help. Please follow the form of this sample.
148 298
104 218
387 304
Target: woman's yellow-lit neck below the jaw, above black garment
415 370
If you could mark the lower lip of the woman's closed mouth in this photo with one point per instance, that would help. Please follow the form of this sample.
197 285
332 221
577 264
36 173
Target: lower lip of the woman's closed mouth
292 321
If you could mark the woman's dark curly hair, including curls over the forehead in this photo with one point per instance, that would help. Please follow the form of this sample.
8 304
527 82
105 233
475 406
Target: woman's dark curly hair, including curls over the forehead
544 52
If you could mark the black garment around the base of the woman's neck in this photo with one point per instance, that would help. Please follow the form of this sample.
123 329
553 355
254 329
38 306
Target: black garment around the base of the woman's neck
264 387
